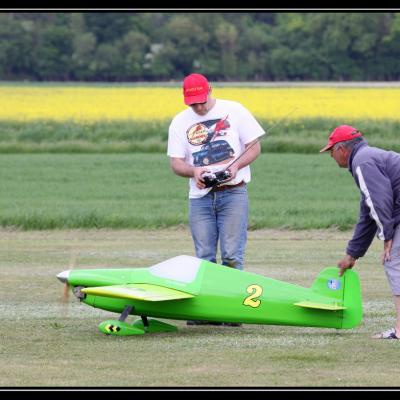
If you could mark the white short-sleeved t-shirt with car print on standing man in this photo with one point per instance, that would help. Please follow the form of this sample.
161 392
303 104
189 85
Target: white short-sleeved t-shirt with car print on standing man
213 140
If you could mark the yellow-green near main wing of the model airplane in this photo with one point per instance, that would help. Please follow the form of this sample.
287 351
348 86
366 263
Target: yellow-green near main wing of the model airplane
138 291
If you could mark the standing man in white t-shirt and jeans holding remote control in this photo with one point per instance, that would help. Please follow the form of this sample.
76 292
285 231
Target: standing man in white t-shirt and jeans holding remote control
203 142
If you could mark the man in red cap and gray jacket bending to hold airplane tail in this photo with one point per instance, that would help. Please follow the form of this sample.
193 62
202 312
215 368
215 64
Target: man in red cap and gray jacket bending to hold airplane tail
377 175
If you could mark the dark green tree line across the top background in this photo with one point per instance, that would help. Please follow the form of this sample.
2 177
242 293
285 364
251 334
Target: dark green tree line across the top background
225 46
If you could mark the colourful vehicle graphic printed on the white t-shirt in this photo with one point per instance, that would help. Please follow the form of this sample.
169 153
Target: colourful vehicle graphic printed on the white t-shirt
212 151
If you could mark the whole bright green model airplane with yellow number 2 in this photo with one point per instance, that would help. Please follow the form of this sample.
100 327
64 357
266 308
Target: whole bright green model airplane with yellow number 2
188 288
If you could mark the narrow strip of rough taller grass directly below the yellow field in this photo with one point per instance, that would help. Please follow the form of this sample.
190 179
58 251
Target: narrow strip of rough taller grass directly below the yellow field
127 136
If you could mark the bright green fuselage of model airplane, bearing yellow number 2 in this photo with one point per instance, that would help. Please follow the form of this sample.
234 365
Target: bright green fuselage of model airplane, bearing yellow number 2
229 295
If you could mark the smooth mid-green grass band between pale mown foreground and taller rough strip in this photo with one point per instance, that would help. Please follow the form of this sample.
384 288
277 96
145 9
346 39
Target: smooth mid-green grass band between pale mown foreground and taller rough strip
56 191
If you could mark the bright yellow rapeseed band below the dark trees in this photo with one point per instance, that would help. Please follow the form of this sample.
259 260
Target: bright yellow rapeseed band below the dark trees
98 103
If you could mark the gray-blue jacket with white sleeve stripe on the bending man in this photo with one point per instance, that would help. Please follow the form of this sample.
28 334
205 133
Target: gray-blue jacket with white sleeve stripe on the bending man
377 174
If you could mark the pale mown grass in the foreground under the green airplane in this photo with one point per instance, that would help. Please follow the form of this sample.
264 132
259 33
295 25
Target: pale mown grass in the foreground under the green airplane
49 343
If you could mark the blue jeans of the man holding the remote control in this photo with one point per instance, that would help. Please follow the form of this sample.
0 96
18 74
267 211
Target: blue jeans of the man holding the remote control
220 216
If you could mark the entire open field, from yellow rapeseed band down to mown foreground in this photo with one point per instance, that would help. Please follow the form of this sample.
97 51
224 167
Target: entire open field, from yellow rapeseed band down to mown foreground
109 199
